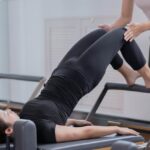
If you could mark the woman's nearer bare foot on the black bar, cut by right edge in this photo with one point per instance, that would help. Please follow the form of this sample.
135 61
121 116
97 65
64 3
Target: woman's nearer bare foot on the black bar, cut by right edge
145 73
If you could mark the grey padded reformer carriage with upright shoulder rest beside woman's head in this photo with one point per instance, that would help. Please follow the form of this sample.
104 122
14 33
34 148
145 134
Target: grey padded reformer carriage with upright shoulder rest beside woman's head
25 139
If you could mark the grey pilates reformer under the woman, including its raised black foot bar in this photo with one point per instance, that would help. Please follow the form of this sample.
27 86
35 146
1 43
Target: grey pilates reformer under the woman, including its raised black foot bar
25 131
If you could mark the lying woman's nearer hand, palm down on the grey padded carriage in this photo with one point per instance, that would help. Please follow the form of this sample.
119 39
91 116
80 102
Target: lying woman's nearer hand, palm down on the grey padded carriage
126 131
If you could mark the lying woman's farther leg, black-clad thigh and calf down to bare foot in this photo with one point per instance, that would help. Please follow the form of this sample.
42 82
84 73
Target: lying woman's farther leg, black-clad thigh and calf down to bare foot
117 62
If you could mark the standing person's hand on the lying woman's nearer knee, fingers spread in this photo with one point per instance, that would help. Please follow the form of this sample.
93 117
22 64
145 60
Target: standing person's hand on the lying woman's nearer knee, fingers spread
133 30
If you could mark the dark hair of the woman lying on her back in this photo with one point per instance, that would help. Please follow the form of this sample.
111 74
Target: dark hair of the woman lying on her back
3 136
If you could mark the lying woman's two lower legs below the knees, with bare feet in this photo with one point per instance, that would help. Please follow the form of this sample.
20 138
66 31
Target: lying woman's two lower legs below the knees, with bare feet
134 57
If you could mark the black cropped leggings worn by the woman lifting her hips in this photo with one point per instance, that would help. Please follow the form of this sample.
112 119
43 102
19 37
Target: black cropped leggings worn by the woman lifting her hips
94 52
